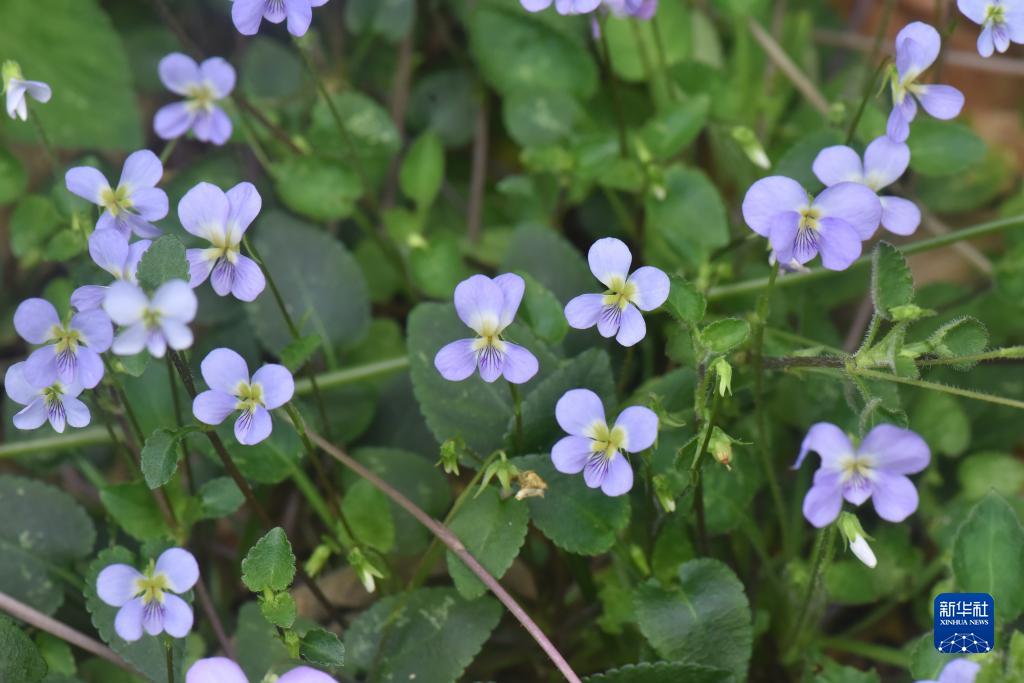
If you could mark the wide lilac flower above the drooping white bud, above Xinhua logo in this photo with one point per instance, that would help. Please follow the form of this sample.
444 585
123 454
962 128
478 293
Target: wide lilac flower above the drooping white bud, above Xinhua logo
877 469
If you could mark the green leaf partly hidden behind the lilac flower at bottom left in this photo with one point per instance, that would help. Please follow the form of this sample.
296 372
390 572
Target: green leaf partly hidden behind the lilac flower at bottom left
147 655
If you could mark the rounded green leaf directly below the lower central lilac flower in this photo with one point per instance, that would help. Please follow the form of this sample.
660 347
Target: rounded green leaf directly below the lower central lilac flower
577 519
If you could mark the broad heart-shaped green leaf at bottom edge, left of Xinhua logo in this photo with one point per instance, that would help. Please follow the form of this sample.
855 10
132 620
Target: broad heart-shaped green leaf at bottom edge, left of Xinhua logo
706 620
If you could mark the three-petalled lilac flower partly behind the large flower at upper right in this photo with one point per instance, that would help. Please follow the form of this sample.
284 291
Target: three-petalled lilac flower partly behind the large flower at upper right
885 162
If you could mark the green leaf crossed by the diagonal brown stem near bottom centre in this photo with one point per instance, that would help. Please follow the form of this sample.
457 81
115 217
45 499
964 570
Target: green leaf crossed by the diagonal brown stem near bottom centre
493 532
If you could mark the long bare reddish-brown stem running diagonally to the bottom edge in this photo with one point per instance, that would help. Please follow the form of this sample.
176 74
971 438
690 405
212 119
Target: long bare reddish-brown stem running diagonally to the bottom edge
456 546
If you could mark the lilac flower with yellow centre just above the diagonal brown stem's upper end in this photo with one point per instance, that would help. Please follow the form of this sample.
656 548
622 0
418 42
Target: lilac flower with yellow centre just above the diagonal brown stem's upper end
231 390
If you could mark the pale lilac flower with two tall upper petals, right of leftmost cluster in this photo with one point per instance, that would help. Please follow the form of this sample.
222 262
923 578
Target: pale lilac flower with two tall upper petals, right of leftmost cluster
222 220
